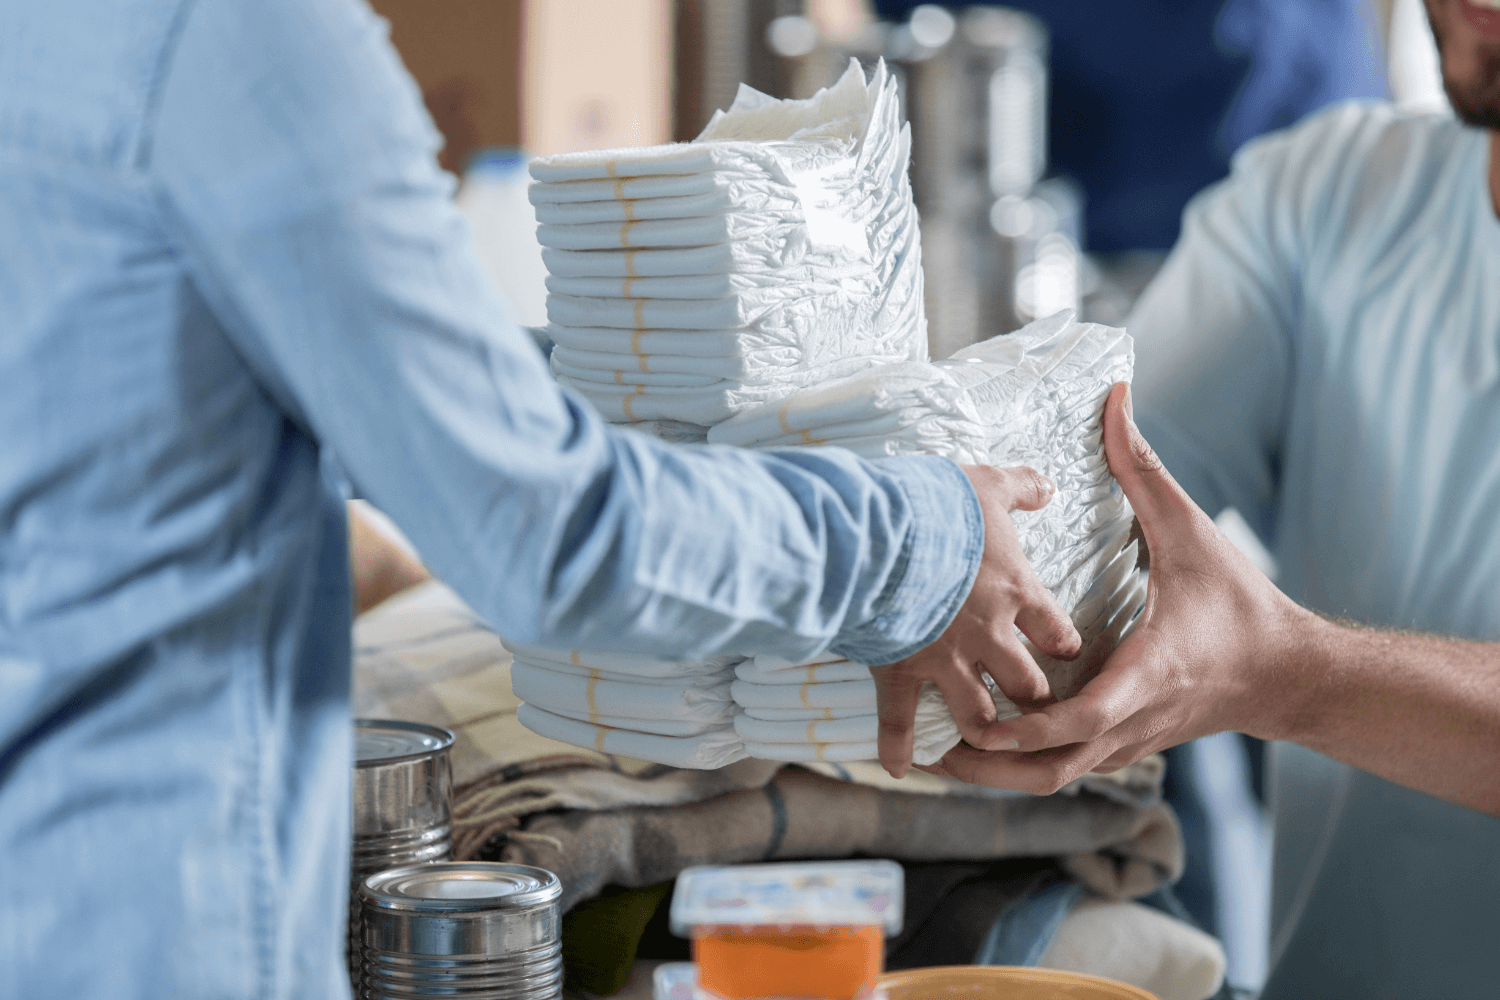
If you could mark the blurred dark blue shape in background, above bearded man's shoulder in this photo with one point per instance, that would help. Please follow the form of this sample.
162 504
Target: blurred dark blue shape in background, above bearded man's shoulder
1150 100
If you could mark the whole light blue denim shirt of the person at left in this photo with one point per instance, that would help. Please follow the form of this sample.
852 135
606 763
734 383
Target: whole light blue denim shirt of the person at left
226 256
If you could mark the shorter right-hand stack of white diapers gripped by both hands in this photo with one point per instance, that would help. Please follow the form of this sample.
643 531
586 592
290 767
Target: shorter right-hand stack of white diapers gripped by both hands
1033 398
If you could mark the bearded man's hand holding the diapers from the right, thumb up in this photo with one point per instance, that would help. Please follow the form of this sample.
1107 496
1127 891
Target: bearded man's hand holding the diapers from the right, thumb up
1214 639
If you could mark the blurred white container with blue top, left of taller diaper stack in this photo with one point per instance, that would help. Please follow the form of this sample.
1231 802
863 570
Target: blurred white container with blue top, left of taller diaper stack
494 202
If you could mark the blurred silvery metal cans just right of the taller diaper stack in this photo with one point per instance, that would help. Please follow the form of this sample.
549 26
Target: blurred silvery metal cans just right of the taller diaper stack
995 247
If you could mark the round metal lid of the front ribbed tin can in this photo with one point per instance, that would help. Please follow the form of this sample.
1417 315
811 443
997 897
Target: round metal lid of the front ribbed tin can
461 887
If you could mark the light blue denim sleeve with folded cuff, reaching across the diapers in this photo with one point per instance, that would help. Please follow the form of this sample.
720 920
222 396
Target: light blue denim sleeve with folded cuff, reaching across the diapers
295 169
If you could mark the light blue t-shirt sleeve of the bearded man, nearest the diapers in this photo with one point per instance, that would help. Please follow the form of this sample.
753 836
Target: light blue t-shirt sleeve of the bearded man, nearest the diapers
1220 329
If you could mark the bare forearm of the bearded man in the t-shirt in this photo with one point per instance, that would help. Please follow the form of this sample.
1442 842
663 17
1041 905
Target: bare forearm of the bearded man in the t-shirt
1417 710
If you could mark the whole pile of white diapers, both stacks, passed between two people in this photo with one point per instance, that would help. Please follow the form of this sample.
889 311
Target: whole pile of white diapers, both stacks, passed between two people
761 287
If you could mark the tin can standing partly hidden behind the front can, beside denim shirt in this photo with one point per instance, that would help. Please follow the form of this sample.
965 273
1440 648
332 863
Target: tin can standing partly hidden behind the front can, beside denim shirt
403 806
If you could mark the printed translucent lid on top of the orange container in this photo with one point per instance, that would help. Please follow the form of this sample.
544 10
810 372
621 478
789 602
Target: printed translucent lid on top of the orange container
814 893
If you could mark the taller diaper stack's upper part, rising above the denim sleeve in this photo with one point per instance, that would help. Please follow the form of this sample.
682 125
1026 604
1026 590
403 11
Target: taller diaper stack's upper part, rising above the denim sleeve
779 250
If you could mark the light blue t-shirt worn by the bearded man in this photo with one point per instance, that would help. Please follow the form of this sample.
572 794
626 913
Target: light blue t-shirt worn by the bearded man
1322 353
